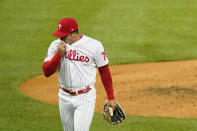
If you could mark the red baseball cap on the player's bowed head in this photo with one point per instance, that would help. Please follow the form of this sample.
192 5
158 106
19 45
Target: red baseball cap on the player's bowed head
65 27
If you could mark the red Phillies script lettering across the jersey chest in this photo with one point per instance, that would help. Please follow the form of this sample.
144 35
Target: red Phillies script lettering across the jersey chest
74 56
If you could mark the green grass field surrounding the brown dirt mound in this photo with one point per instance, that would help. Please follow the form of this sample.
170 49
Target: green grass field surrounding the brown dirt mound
132 31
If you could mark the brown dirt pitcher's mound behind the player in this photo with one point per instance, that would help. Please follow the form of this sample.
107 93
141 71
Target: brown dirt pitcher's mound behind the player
153 89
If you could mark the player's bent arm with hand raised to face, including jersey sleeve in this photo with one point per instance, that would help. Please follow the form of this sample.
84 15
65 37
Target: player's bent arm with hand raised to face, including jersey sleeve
53 58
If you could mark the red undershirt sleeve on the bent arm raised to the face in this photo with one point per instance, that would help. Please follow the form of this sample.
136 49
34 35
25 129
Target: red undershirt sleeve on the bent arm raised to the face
50 67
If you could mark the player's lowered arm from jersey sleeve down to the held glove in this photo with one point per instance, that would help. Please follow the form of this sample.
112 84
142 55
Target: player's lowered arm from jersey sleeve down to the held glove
116 114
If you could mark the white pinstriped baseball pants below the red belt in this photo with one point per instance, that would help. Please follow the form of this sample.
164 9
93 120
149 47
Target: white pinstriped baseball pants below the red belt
76 112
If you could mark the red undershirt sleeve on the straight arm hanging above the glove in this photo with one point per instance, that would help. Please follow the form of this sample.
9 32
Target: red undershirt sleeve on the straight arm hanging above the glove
107 81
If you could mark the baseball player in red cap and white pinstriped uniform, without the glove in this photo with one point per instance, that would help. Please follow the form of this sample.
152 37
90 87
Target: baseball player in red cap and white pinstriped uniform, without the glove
76 57
